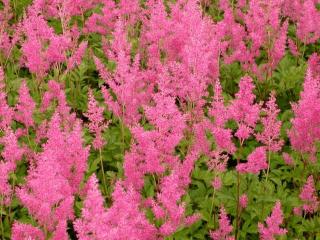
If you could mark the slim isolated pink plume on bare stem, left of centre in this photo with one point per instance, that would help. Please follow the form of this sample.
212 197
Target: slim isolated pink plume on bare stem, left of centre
96 121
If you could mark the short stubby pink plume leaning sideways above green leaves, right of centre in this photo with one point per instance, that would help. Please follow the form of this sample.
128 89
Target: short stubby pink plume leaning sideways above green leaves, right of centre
257 161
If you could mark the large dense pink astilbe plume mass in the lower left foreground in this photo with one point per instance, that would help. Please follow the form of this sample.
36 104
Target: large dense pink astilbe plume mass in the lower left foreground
51 184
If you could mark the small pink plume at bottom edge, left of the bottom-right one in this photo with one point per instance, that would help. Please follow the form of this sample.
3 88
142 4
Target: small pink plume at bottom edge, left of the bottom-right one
225 228
